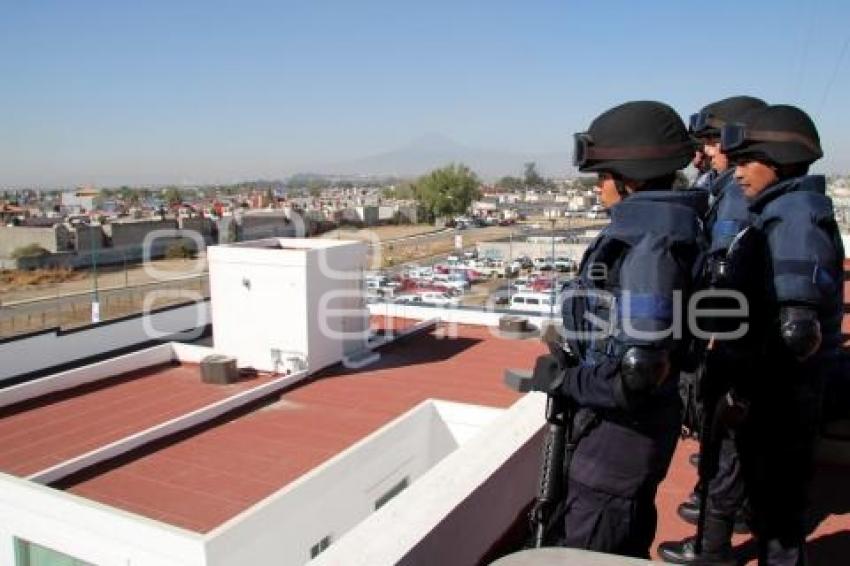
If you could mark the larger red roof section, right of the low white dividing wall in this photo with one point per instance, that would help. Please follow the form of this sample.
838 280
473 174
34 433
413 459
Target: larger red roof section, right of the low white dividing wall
205 479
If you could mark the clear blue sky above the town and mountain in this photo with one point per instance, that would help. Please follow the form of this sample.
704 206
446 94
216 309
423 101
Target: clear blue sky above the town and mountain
111 92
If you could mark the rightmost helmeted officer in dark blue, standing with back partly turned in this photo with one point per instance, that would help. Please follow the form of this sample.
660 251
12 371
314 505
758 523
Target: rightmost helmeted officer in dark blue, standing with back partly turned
795 301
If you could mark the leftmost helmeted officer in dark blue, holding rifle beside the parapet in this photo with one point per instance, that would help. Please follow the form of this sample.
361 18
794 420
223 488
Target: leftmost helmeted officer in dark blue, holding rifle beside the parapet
624 380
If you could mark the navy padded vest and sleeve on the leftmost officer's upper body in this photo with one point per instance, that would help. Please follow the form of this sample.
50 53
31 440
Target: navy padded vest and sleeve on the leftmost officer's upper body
623 295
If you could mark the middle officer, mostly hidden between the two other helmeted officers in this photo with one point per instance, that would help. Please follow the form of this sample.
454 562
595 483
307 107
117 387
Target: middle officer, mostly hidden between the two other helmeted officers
728 216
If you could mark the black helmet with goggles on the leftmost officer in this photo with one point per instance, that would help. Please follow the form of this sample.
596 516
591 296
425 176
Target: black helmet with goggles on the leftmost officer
638 140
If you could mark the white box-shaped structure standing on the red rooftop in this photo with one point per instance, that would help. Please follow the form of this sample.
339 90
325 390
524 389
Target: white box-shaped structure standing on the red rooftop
287 304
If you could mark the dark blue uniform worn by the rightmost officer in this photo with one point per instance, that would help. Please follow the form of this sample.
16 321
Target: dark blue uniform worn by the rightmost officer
799 264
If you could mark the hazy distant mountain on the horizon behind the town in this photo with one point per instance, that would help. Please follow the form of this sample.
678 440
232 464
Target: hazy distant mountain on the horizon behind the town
435 150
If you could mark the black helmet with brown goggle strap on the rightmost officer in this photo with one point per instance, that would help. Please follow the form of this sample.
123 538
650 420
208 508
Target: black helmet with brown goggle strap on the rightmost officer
780 134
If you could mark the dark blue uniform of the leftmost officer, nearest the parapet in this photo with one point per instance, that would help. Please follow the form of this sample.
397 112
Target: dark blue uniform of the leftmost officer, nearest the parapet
638 262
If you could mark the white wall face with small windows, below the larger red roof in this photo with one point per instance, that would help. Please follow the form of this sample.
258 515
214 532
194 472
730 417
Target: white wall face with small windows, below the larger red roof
338 495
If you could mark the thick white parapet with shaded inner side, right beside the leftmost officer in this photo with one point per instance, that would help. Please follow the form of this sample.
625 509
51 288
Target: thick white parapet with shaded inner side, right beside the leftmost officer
456 512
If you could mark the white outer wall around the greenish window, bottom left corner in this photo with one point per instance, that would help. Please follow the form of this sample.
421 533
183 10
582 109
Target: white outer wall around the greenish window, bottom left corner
88 531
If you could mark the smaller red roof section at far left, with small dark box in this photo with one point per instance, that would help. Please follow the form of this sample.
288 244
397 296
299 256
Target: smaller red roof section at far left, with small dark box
45 431
